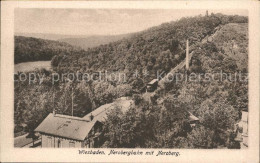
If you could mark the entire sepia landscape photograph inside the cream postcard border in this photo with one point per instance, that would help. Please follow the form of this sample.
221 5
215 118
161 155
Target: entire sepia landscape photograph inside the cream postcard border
130 78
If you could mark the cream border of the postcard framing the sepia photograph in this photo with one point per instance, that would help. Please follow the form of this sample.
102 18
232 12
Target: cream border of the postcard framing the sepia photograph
8 153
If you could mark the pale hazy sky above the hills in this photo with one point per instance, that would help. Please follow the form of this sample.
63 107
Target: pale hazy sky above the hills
99 21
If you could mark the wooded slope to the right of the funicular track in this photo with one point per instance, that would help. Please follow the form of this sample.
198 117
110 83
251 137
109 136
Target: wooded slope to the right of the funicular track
217 103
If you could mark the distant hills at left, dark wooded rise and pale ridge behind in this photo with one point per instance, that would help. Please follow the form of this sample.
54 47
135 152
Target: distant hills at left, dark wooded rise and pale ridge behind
42 47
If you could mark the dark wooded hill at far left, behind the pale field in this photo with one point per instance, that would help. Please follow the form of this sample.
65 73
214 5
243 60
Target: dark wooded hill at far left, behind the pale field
35 49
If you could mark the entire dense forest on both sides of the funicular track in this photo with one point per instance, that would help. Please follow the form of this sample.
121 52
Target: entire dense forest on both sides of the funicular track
161 121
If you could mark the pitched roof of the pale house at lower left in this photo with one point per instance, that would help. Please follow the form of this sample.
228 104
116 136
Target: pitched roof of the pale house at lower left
66 126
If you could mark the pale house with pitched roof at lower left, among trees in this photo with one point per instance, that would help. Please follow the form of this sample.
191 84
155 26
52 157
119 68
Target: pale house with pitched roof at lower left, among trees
62 131
